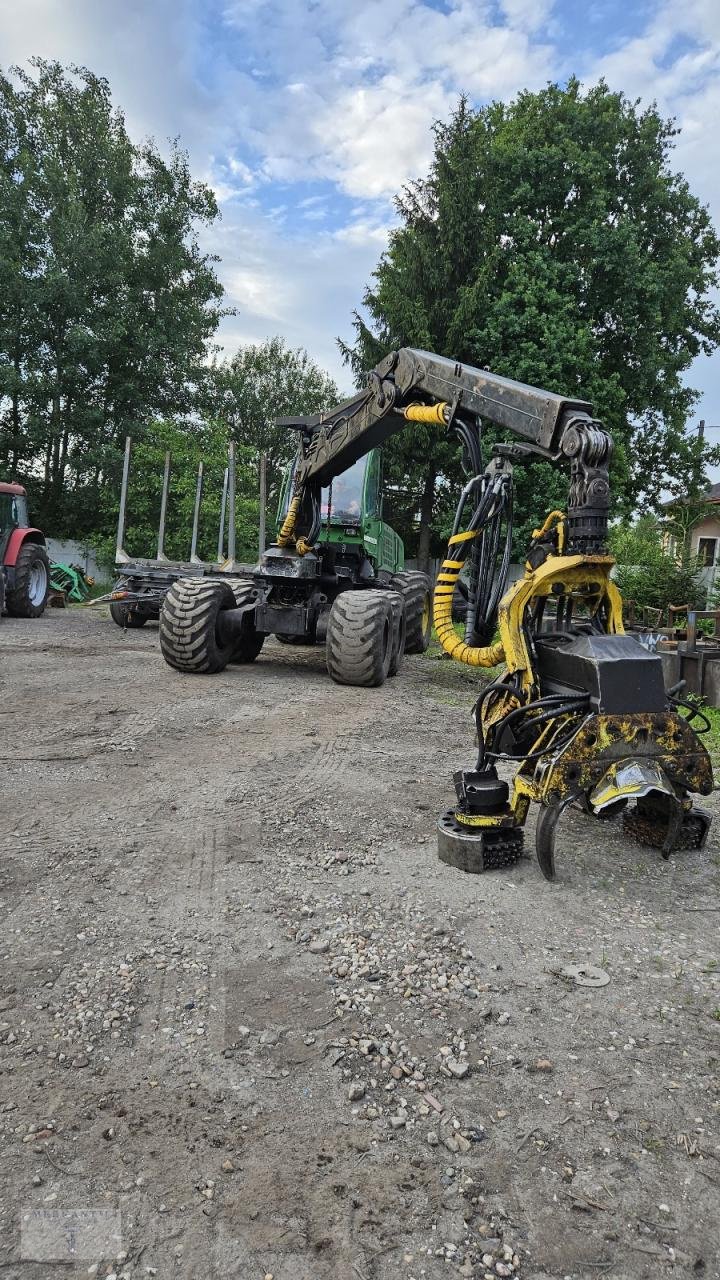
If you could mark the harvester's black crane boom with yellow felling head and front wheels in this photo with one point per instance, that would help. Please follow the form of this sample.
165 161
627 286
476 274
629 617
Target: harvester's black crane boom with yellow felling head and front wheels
577 705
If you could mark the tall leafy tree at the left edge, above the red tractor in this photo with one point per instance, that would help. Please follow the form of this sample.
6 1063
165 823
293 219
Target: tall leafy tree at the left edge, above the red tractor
107 303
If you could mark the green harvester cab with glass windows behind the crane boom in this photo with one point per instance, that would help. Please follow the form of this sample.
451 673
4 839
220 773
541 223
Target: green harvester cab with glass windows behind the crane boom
352 515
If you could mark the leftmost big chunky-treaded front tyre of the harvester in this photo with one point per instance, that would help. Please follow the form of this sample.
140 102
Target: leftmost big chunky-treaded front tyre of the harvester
189 627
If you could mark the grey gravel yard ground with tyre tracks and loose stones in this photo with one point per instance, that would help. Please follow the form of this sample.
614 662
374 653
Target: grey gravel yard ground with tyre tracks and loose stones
252 1027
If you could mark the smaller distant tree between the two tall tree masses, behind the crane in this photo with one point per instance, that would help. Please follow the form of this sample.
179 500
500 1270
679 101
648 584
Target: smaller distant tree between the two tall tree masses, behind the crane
262 383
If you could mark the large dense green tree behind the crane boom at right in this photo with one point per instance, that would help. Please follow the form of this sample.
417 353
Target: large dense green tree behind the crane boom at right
552 243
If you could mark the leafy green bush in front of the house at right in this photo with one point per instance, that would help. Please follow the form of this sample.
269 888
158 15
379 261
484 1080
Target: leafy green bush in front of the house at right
648 574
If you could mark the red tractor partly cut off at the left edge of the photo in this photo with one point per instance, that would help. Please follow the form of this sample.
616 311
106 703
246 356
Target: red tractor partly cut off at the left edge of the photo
25 569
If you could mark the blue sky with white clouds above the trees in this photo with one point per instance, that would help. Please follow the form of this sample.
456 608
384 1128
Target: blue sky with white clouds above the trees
306 118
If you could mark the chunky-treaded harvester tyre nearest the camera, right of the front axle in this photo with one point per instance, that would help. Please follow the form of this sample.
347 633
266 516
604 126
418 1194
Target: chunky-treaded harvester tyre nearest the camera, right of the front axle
361 638
